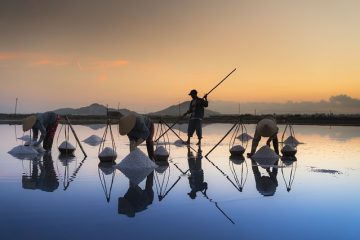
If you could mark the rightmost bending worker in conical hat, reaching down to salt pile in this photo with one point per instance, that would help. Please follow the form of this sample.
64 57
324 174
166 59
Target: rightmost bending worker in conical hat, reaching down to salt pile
266 127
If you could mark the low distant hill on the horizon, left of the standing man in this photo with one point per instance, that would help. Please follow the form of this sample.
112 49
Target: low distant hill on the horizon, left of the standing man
93 109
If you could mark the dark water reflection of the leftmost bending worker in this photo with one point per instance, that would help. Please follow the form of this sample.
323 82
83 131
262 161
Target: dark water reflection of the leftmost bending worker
46 180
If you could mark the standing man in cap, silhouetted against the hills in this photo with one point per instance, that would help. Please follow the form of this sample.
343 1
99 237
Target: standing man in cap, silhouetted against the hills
196 109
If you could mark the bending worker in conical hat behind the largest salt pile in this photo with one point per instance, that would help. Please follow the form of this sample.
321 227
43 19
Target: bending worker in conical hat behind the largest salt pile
138 128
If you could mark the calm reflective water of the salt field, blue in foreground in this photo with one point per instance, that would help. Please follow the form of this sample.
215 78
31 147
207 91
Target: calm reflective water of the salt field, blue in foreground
316 197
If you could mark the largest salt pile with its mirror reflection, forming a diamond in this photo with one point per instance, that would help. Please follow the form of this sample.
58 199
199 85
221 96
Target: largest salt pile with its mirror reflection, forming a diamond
136 166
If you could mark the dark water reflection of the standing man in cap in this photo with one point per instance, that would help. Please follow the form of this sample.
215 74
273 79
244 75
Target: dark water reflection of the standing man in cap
196 178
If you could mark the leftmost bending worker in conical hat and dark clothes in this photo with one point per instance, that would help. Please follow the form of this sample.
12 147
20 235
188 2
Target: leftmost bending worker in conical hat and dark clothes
46 123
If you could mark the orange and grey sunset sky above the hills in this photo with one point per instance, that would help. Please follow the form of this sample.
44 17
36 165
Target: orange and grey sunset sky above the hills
146 55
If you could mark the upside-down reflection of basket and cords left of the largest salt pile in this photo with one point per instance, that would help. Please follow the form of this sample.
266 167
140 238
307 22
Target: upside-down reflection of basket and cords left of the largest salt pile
106 169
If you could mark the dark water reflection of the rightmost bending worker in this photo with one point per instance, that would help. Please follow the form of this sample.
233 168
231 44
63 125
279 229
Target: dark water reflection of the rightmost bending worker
266 185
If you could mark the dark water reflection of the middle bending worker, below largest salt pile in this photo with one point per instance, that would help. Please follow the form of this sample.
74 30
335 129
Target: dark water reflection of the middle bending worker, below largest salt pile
136 199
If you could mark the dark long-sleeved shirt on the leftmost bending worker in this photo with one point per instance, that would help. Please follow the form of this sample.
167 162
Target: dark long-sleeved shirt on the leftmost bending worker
43 121
